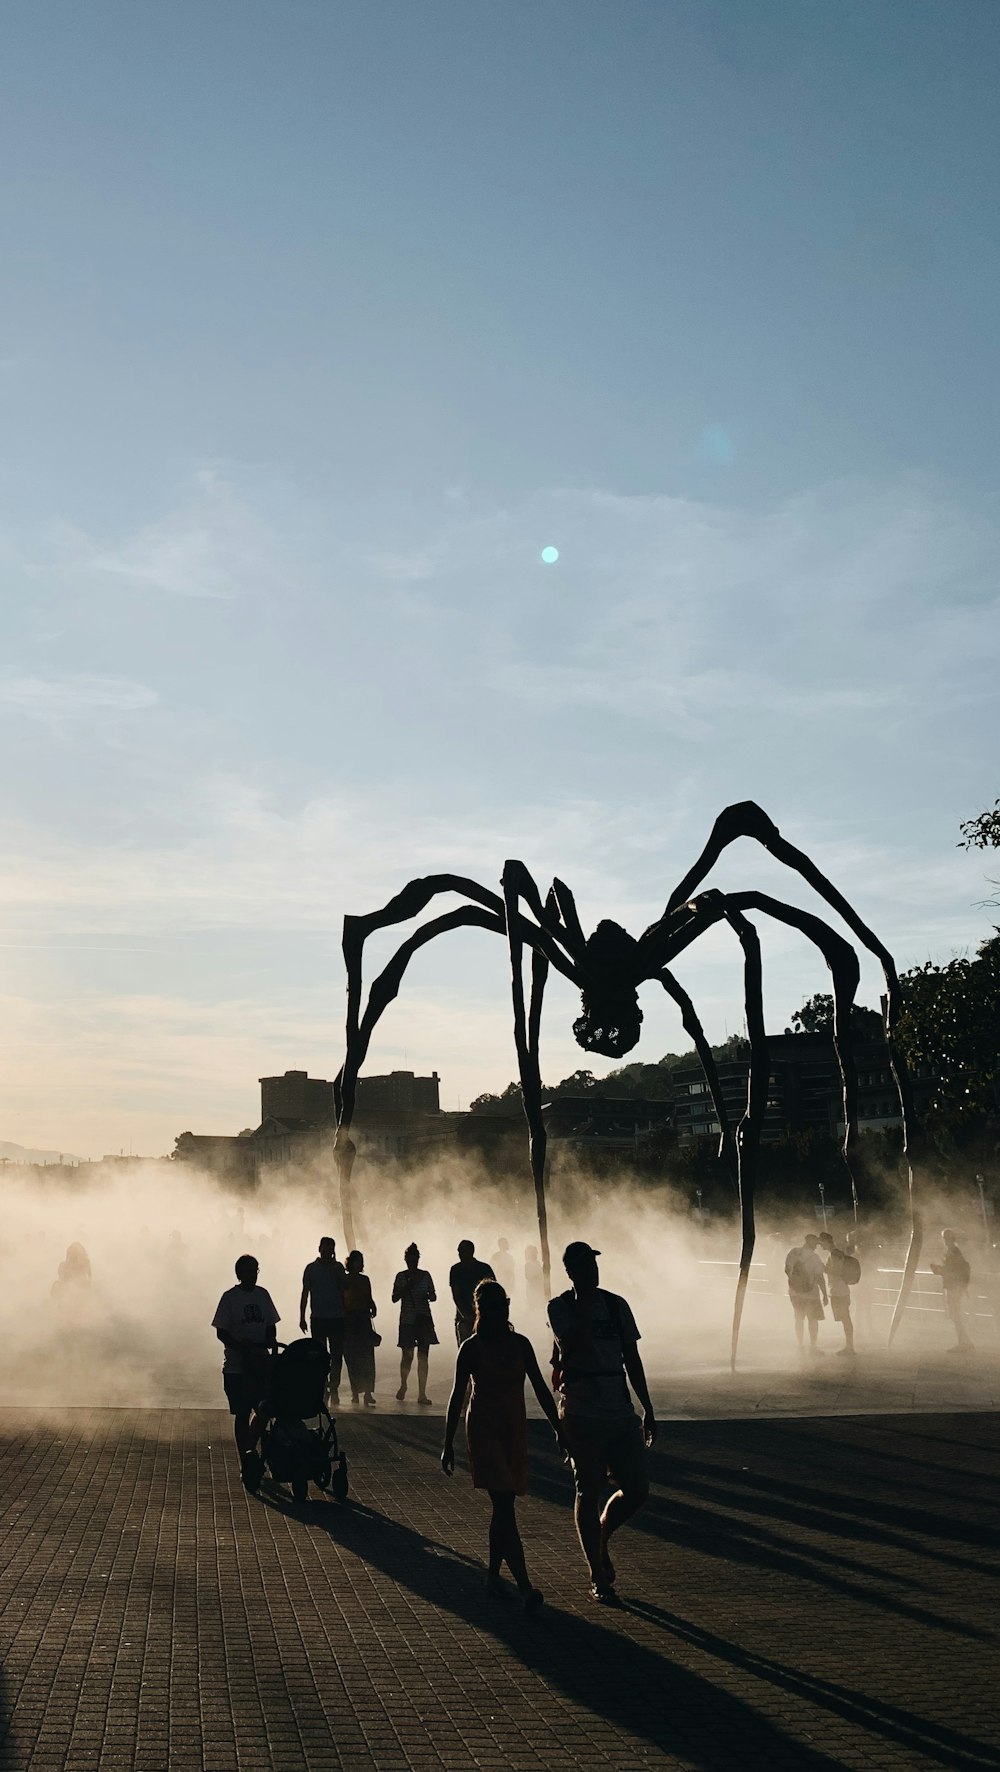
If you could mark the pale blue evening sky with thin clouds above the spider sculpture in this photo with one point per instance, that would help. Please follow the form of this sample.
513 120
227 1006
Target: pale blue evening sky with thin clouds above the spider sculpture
318 325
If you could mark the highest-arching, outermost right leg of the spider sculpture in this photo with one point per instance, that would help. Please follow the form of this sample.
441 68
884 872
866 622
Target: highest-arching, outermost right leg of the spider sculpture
747 820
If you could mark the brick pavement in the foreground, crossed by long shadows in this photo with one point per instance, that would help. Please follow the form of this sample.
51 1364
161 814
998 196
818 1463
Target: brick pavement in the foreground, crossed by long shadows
799 1596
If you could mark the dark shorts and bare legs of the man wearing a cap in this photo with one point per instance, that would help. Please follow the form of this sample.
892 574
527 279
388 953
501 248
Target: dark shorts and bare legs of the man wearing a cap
598 1452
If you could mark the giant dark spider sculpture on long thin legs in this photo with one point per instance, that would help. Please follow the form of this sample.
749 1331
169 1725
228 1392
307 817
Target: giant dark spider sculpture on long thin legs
609 967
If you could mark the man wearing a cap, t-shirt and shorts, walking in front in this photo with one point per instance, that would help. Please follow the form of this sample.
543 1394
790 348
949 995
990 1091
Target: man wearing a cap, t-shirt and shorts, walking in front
595 1362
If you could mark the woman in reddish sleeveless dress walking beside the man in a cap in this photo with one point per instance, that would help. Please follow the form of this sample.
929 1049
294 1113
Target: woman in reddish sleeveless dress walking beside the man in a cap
497 1362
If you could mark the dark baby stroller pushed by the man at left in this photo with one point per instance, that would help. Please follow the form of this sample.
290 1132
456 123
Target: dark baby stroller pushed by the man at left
290 1450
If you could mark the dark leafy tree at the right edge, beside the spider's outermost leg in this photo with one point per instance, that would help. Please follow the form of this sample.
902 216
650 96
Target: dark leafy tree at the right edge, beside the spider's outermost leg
951 1030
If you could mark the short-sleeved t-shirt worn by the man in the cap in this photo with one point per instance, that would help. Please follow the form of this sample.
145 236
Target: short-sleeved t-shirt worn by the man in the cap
591 1335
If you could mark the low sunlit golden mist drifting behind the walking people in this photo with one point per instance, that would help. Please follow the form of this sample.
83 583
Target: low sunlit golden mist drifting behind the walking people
160 1241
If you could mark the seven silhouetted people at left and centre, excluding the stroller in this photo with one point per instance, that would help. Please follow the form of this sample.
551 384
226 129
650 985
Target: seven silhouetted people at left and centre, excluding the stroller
595 1360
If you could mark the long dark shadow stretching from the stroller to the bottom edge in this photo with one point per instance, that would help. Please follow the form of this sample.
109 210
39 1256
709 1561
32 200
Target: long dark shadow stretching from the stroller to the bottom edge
598 1667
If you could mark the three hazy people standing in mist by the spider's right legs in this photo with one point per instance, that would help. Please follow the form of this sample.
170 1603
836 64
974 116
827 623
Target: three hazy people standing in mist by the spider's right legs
820 1275
